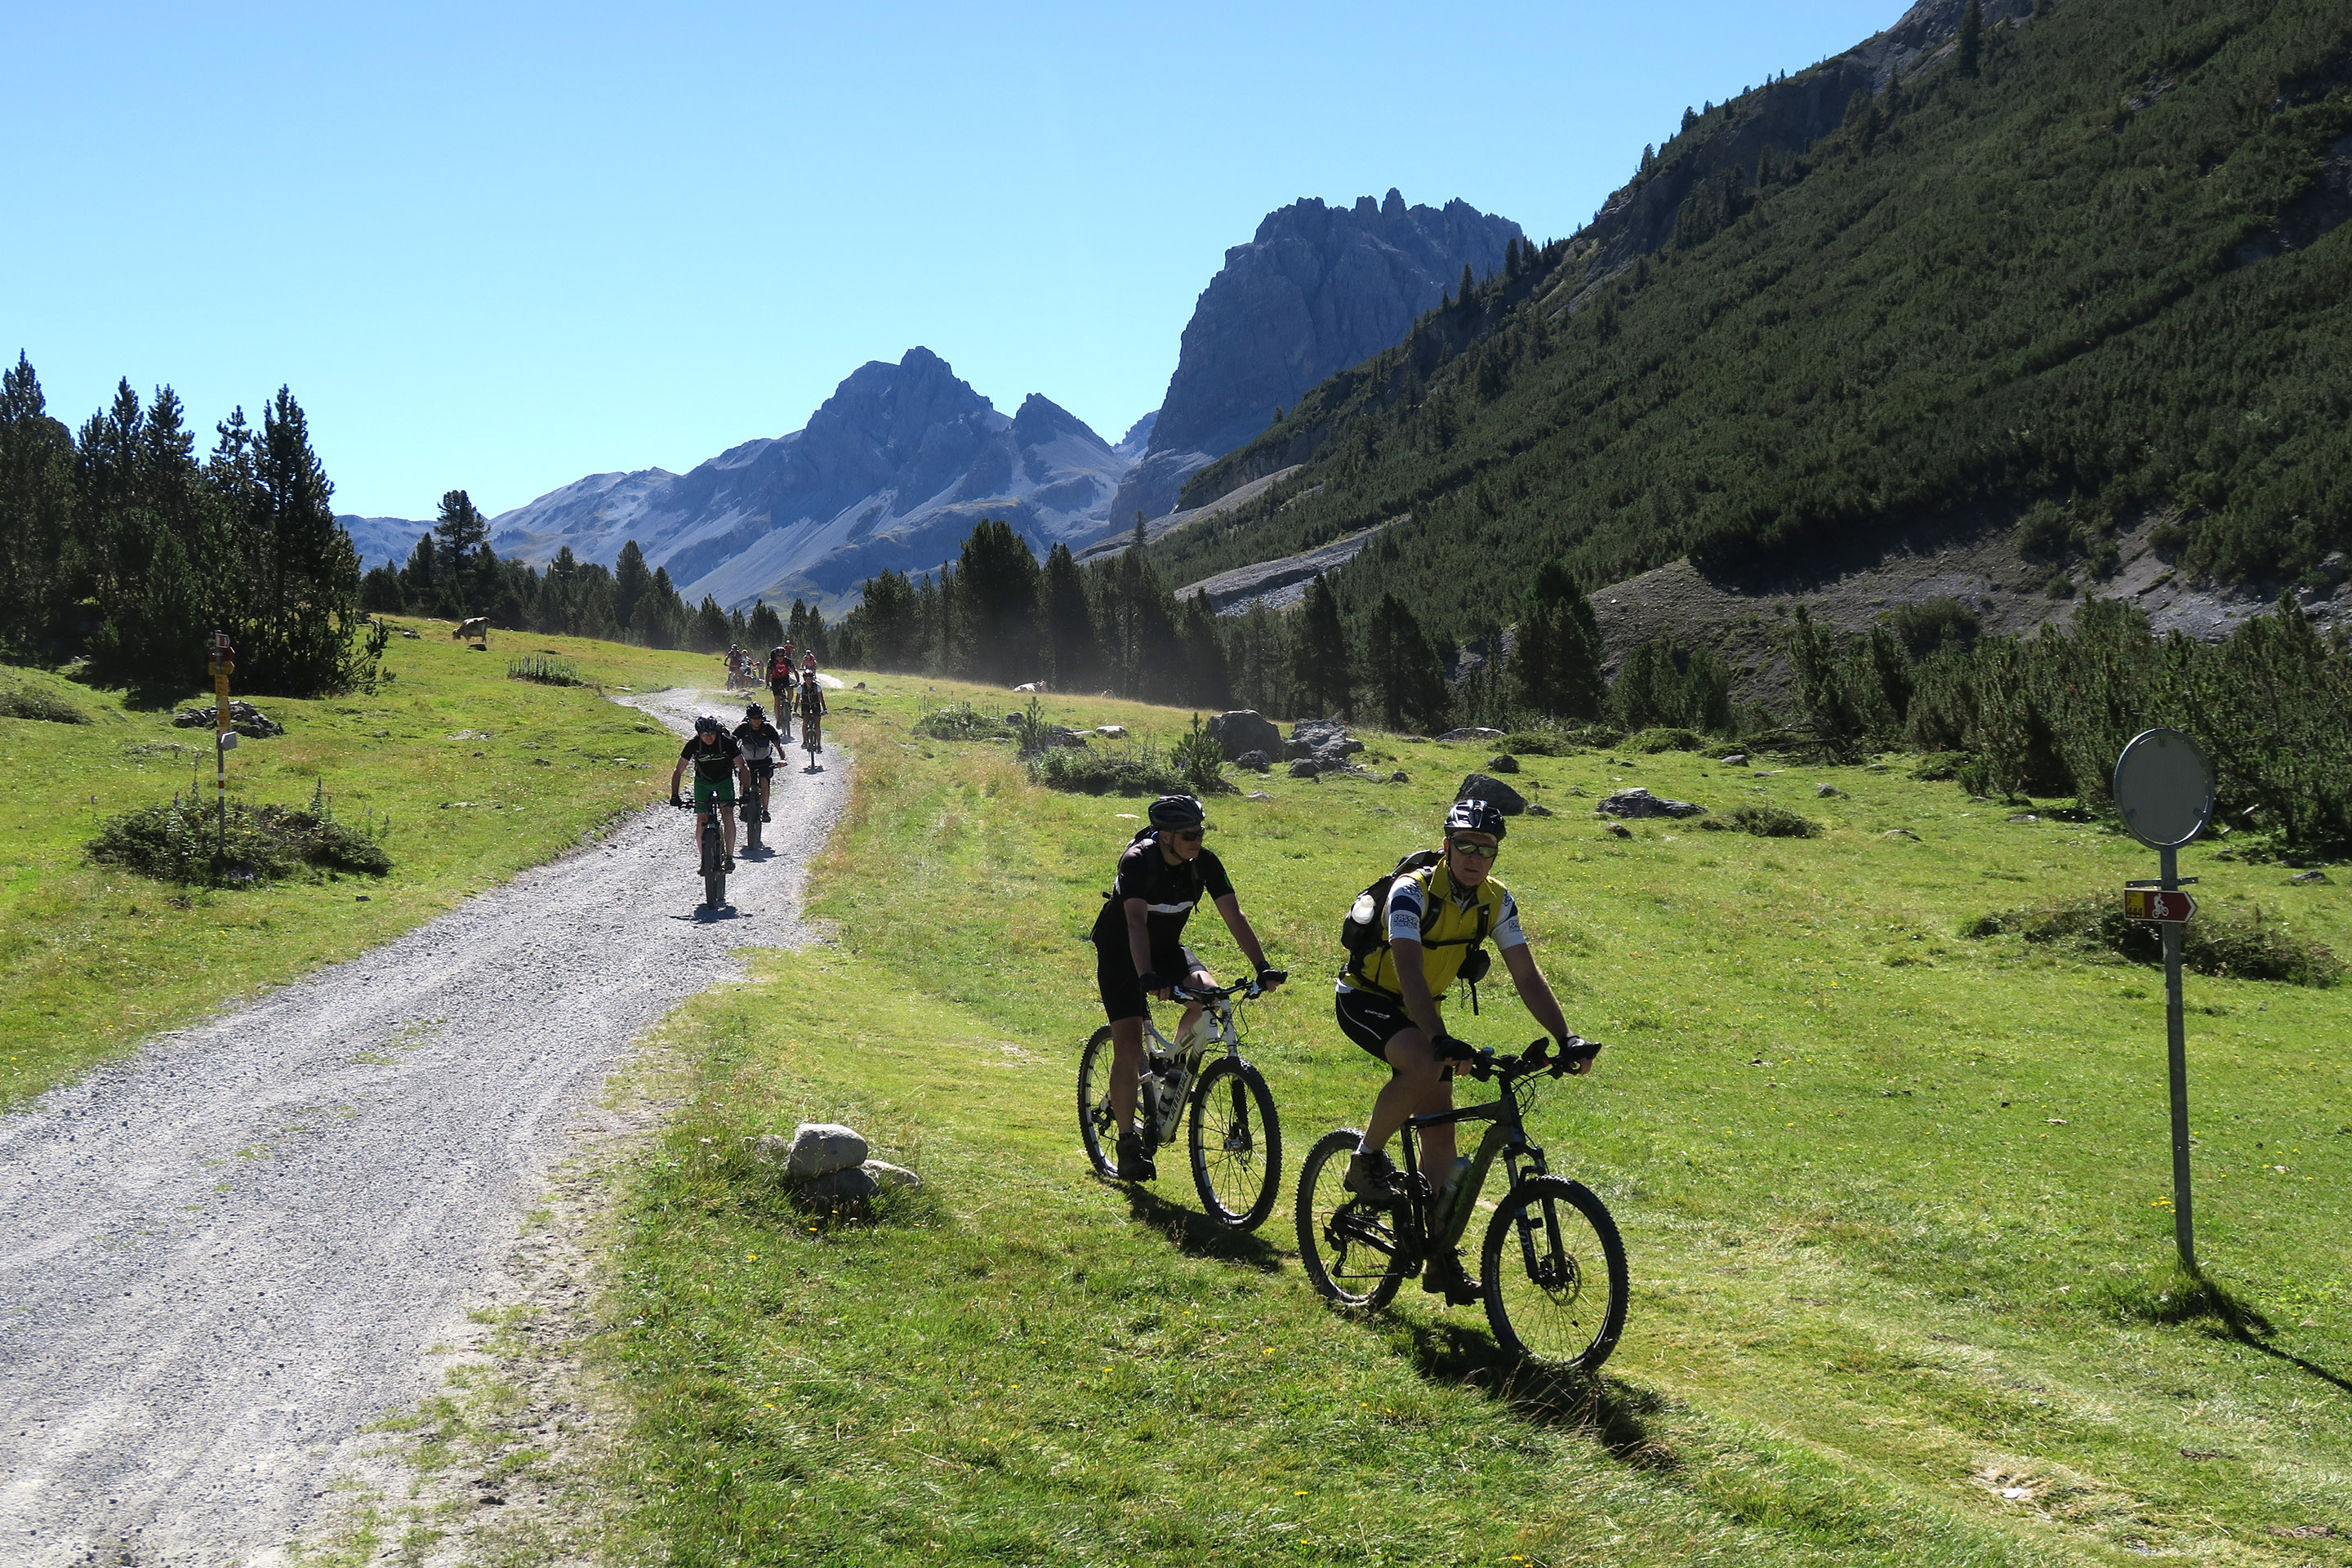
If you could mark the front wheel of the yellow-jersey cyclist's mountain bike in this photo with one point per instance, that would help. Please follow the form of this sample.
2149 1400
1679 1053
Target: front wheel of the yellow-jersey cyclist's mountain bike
1556 1275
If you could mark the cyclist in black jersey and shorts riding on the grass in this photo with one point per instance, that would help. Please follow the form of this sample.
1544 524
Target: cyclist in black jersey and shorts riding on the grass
1140 946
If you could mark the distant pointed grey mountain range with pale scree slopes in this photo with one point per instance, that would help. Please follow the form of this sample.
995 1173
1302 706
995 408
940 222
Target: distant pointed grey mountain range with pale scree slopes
893 471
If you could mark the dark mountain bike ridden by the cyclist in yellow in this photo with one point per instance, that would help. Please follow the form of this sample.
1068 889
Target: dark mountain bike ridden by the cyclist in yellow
1551 1268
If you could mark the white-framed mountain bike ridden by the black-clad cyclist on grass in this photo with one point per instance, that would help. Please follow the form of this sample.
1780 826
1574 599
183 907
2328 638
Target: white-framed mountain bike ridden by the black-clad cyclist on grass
1236 1137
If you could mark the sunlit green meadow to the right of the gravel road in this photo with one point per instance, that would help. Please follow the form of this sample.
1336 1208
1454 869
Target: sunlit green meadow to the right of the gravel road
1895 1205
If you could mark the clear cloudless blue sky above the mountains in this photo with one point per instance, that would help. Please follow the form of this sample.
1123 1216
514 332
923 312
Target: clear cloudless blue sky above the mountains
500 246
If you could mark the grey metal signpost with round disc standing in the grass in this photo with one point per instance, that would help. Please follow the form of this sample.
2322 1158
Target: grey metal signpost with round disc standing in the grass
2165 793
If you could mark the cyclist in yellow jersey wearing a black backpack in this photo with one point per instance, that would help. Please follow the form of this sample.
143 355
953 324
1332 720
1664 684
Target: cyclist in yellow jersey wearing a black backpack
1389 1007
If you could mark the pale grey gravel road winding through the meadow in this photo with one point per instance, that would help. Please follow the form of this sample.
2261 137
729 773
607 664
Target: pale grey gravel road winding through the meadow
227 1257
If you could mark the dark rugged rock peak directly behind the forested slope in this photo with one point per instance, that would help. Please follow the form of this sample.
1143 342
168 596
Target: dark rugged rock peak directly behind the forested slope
1314 293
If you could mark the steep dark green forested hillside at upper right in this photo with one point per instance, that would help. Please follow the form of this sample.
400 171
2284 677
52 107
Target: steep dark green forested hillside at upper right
2080 264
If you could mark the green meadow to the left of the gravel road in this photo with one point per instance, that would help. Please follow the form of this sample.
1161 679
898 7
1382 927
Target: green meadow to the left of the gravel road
100 958
